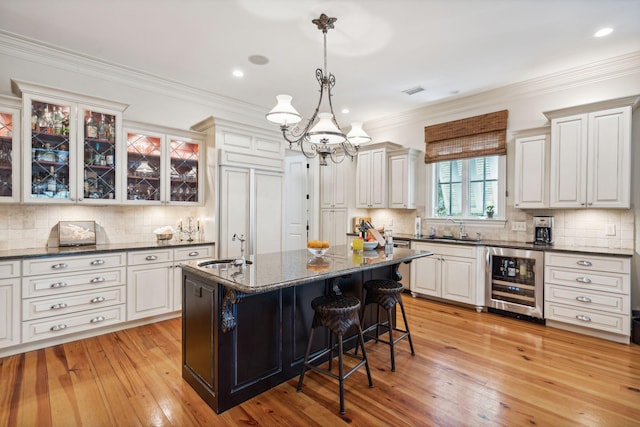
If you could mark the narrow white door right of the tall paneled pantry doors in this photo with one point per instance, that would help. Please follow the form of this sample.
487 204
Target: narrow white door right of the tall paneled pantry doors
296 204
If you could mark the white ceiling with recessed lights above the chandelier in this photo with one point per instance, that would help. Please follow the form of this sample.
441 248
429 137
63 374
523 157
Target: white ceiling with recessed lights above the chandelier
378 47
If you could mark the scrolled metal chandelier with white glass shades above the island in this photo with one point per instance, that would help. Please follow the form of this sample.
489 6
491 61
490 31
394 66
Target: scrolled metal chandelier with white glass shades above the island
321 135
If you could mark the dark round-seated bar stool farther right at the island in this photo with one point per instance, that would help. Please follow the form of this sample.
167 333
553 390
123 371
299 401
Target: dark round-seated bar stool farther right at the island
385 293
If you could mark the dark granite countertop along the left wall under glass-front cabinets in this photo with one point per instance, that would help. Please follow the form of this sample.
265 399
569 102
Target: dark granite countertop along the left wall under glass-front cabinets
93 249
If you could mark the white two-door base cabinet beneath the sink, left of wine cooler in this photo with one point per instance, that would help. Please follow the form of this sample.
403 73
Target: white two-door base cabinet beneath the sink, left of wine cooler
451 273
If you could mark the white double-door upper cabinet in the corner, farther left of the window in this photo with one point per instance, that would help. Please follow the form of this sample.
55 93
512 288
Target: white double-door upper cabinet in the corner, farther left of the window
371 179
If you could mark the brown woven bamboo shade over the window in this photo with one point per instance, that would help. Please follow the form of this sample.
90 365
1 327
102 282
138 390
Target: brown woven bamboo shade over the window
477 136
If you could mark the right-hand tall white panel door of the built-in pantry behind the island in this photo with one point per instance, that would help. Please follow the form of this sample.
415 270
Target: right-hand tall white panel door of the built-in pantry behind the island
268 212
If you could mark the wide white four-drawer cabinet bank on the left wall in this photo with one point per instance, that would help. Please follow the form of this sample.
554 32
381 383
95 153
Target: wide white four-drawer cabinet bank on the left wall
72 294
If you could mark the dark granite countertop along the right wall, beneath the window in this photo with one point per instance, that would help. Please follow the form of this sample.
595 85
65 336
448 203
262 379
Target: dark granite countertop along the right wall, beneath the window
514 244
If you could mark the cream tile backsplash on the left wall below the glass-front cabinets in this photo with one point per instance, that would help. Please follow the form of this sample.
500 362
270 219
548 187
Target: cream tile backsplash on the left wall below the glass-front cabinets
32 226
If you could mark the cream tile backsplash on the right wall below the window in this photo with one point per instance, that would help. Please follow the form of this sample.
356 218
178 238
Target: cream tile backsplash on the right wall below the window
580 227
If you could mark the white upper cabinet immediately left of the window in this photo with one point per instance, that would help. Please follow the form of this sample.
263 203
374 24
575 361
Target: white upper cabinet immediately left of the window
403 173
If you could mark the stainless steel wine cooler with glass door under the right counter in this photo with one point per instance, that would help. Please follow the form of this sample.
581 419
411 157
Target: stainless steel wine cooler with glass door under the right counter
514 282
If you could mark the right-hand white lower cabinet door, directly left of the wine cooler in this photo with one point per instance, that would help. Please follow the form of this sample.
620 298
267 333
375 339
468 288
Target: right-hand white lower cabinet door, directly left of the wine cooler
459 279
